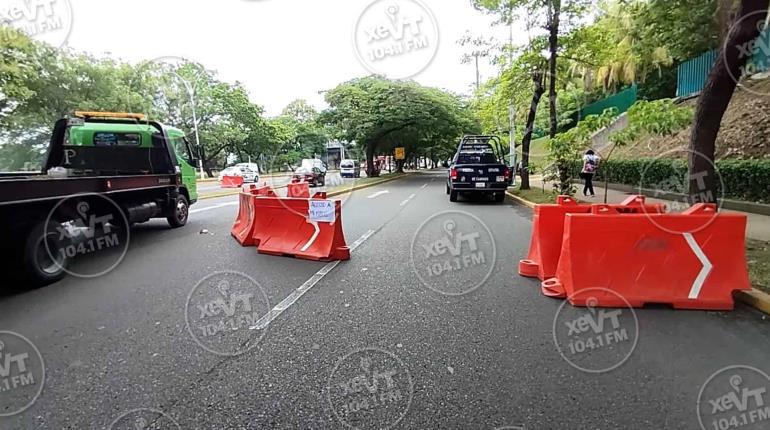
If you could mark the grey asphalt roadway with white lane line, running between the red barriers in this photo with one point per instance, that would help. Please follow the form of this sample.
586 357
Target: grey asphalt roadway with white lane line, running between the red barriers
404 335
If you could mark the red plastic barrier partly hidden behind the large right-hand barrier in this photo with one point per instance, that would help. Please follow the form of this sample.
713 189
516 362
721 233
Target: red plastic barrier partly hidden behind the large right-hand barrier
548 228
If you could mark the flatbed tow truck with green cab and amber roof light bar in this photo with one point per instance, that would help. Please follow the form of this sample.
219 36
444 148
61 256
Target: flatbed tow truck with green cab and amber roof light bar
102 173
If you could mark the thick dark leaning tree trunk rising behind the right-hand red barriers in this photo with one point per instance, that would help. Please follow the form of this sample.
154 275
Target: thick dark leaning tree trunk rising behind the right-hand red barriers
716 96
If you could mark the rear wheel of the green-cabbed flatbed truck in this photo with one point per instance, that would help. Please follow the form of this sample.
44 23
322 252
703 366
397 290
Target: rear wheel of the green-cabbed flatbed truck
42 264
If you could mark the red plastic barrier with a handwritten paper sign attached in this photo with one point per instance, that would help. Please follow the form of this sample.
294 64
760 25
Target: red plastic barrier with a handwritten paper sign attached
282 226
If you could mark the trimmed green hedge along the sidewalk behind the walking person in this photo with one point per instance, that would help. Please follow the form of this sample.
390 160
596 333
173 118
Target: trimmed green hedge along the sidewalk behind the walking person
747 180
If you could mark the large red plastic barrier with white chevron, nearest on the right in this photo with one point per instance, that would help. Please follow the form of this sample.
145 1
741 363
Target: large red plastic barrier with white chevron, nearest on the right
645 262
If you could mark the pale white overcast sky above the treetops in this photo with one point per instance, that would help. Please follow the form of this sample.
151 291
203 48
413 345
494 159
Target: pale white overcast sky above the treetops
282 50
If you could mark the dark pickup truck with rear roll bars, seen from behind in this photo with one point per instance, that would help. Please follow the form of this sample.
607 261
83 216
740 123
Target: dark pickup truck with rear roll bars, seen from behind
478 168
